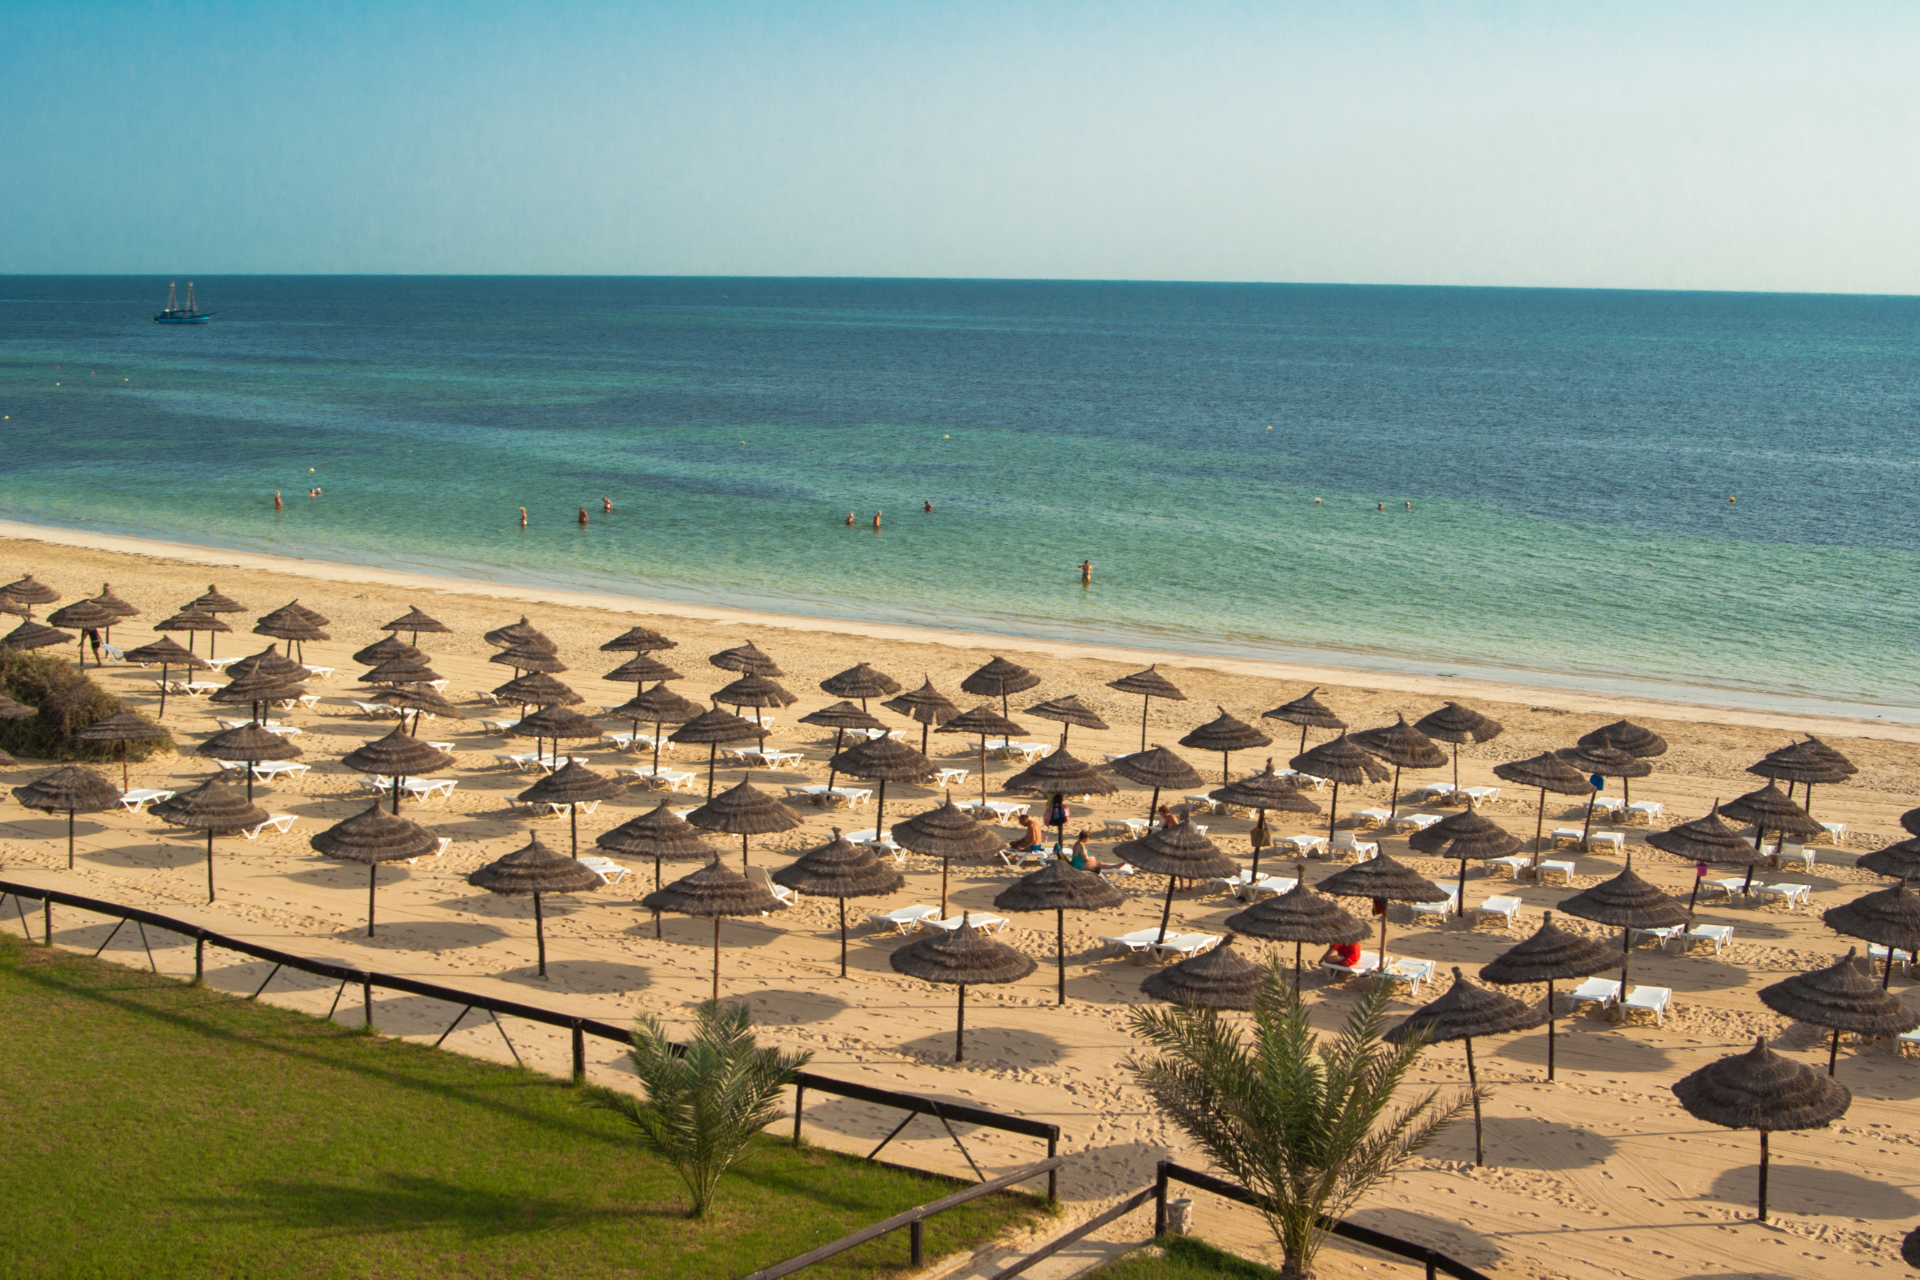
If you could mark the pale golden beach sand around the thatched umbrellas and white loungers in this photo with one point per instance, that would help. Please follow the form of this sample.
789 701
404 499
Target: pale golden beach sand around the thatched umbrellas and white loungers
1596 1175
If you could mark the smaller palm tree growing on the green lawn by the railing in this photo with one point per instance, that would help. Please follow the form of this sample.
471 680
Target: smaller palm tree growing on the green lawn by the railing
702 1108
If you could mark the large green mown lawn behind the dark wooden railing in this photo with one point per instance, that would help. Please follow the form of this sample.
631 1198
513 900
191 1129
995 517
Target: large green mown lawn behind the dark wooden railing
158 1129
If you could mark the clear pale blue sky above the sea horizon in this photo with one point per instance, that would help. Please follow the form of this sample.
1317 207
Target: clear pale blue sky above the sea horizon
1725 147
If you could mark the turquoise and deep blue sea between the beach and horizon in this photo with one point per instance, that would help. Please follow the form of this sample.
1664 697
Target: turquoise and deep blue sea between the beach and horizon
1476 483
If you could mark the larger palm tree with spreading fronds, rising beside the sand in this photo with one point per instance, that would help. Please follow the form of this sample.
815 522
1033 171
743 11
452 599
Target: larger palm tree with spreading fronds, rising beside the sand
1293 1120
